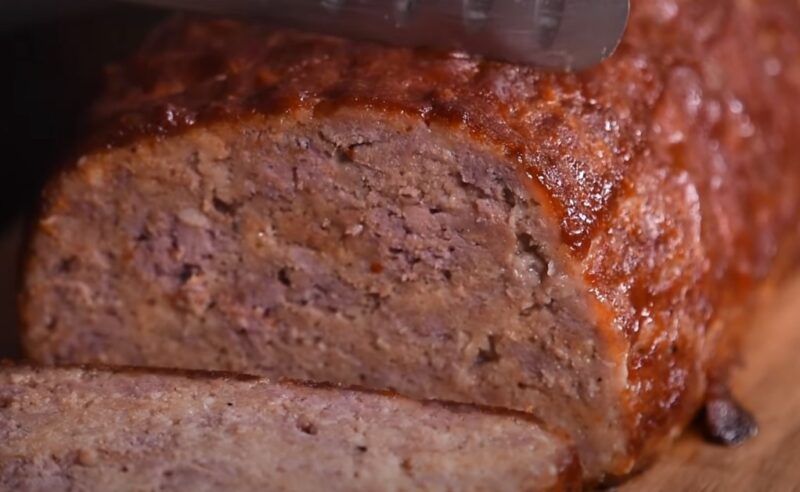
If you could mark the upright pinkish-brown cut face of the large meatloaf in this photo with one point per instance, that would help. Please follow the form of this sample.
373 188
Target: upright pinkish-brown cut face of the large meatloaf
419 264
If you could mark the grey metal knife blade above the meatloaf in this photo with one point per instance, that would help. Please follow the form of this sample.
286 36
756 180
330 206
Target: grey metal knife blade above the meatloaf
552 34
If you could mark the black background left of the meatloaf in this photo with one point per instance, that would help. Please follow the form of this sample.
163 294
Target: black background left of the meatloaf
49 72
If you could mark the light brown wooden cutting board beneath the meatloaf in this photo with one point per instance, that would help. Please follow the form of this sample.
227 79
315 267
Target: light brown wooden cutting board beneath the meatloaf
769 385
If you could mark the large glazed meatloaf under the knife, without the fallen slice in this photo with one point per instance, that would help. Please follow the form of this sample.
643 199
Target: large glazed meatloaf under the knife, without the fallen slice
440 225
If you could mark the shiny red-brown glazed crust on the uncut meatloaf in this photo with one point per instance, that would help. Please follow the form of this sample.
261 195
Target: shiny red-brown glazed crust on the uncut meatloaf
671 168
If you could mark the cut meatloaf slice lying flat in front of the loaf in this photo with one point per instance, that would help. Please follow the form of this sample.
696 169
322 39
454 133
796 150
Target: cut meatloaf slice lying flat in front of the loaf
87 429
